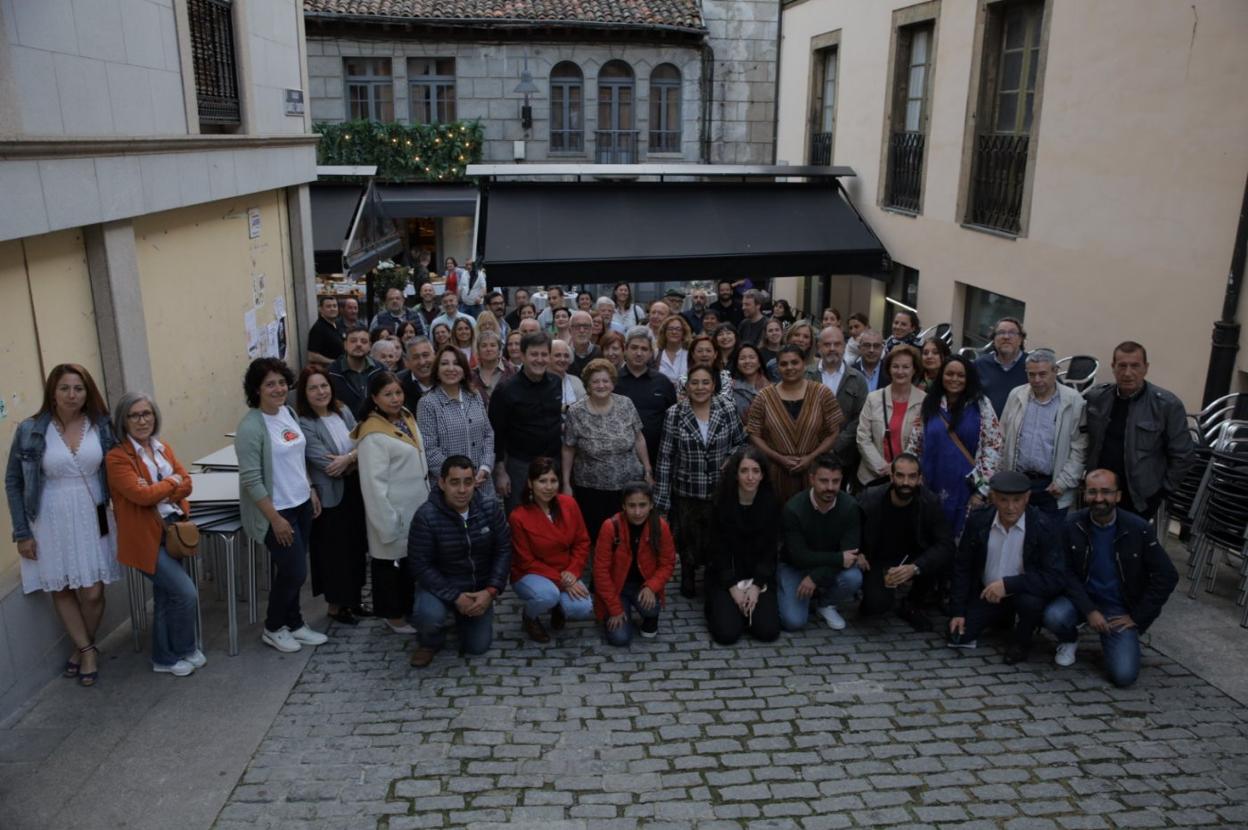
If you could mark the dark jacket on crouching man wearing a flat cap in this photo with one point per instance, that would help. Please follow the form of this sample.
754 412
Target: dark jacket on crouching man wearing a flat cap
1044 572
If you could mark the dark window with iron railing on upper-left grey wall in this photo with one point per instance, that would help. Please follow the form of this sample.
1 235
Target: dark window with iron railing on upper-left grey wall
213 53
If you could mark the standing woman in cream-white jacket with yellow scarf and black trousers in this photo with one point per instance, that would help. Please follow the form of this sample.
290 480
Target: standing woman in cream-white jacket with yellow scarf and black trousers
395 482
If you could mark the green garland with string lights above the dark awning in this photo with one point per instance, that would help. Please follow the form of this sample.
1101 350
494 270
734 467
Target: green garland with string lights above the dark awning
404 153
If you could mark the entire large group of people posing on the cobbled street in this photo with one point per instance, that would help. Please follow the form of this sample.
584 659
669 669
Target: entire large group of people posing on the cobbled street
580 455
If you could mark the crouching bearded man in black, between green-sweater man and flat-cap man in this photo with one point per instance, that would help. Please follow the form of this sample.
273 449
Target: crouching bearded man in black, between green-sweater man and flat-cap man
905 540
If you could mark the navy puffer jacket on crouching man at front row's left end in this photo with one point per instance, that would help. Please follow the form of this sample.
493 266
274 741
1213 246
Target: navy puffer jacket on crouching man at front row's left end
449 556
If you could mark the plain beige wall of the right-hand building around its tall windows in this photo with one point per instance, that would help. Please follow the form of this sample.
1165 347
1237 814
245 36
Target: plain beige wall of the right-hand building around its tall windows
1141 157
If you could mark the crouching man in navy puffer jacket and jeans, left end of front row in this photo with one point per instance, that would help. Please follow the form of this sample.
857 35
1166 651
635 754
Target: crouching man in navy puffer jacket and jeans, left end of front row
460 554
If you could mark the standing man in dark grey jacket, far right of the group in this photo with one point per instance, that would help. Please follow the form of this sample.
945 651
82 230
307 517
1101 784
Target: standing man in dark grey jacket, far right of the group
1138 431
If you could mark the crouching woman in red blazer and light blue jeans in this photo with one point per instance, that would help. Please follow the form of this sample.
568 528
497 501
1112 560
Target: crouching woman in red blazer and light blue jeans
550 550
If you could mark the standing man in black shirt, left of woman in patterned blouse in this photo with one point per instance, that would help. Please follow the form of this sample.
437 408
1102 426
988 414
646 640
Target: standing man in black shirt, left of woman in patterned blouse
527 415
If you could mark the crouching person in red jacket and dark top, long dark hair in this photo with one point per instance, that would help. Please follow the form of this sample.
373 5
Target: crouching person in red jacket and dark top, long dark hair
631 569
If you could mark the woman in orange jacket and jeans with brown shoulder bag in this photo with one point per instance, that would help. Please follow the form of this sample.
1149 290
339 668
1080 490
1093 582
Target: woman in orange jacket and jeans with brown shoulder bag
149 489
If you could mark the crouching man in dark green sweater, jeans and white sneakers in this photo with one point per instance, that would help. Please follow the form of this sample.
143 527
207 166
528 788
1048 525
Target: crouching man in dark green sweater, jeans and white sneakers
821 562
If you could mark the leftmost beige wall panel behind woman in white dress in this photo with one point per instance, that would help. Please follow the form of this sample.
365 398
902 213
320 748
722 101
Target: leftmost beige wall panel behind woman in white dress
47 318
